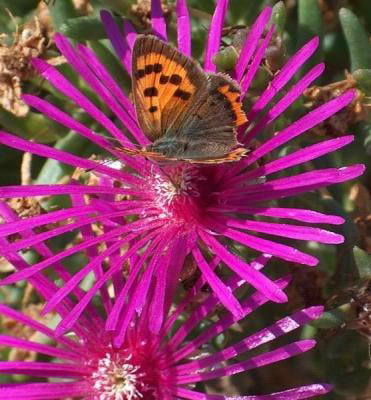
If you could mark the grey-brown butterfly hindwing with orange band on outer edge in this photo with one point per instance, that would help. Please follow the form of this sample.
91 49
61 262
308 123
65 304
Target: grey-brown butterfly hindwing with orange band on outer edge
208 130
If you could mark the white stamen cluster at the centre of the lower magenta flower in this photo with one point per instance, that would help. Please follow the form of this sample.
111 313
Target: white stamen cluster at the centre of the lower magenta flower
118 379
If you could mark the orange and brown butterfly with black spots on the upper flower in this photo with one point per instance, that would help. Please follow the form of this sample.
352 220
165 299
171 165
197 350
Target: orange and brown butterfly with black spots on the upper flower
187 114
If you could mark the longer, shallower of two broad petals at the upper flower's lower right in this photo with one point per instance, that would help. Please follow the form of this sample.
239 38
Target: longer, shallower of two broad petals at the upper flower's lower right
259 281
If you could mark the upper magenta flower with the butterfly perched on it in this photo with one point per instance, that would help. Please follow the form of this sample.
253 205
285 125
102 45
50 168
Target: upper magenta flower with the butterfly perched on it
143 208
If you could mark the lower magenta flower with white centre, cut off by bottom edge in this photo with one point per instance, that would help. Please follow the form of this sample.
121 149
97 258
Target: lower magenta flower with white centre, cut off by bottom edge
92 363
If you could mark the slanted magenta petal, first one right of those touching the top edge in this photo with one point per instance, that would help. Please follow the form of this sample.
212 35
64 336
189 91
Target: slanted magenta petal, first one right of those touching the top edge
251 42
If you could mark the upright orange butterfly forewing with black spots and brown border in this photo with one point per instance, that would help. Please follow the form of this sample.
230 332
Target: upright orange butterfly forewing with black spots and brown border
165 84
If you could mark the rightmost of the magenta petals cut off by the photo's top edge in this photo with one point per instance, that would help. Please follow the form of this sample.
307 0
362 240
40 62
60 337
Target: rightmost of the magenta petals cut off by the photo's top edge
215 34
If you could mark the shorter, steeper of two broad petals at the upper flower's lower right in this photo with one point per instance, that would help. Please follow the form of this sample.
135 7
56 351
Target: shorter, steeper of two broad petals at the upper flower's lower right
223 293
